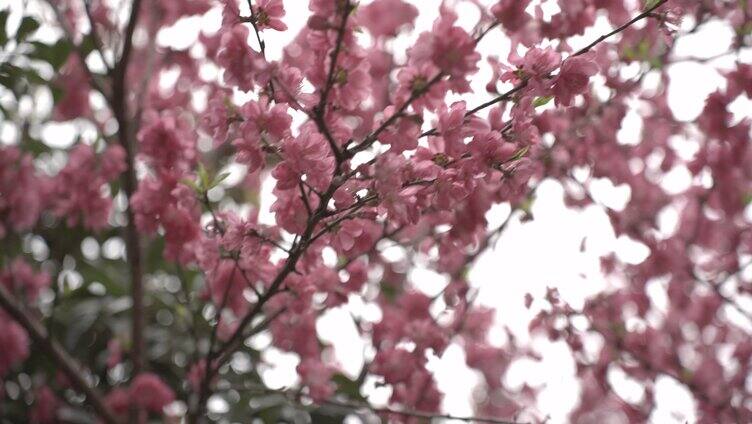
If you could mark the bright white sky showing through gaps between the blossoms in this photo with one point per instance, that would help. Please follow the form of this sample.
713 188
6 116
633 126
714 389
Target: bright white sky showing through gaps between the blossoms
529 257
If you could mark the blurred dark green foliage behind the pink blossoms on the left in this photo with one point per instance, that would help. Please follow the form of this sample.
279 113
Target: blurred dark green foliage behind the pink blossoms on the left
89 303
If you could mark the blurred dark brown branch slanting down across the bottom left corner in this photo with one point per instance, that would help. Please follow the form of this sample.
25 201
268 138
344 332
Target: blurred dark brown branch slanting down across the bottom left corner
77 375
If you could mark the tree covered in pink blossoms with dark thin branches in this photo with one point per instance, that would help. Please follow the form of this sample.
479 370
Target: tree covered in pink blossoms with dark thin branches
135 275
